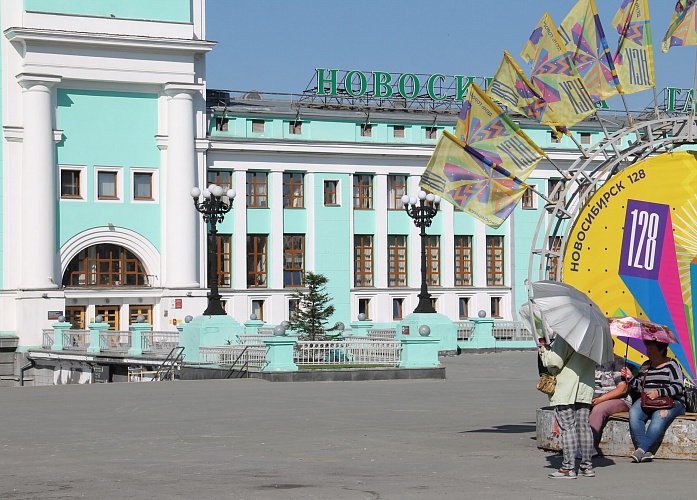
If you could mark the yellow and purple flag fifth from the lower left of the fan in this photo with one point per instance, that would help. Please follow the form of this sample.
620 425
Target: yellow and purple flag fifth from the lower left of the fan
585 39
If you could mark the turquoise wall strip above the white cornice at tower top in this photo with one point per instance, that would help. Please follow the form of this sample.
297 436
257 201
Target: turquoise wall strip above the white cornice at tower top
149 10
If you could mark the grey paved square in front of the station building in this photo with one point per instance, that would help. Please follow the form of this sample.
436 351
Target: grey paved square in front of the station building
469 436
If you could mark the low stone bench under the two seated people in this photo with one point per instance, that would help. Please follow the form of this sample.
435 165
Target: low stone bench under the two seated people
679 441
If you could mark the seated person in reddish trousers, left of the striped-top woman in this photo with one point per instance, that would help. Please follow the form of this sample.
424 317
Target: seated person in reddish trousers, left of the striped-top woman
610 396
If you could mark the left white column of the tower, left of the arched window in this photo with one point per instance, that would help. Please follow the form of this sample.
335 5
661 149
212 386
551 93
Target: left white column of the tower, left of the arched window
38 205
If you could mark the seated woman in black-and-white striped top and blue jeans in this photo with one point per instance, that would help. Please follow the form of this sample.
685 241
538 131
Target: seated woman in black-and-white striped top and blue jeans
663 378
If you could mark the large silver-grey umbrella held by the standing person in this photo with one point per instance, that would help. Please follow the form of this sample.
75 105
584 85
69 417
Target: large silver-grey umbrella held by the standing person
569 313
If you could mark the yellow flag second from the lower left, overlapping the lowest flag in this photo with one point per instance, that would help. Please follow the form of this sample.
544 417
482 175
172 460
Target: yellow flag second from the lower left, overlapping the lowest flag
488 130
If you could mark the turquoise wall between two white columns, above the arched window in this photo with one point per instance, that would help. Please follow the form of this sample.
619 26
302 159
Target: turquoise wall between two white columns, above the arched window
108 129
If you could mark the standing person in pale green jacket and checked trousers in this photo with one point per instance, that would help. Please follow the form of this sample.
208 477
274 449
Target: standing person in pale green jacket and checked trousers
572 404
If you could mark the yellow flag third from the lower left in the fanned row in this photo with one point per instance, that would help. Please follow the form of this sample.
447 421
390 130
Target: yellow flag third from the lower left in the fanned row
512 88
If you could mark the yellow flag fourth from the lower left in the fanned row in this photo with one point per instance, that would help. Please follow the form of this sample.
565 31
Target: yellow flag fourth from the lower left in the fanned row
554 75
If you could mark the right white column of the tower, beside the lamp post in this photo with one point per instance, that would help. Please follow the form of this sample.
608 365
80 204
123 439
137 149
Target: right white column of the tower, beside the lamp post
181 219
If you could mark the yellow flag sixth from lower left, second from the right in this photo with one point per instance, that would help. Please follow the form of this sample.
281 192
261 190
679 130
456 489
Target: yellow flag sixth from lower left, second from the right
634 56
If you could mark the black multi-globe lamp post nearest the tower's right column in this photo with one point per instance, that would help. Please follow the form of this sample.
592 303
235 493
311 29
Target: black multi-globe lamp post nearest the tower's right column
213 209
